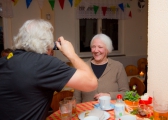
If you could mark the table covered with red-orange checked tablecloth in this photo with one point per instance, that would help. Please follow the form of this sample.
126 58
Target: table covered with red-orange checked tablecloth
82 107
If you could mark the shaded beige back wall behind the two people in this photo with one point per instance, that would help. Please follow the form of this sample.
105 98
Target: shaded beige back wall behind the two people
134 29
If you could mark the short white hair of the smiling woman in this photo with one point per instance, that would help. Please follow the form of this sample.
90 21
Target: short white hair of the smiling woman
105 39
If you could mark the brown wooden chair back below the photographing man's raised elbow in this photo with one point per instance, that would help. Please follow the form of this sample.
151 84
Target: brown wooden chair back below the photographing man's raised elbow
57 97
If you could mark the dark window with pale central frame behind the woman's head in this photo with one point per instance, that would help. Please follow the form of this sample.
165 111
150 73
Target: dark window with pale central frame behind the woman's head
90 27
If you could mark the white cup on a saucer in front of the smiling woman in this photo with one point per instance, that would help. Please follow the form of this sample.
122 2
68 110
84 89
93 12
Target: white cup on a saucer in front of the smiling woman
104 102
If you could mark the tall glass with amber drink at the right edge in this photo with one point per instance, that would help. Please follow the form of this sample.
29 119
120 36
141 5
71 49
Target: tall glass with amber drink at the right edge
160 106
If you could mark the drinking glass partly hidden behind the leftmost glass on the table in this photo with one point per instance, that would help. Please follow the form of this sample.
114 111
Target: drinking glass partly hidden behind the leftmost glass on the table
72 100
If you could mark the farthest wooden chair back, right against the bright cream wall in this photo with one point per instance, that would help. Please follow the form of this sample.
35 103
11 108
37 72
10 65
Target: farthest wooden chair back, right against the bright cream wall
141 63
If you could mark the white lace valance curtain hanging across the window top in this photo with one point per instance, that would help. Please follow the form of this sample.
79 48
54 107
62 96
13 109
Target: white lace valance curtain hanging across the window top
110 9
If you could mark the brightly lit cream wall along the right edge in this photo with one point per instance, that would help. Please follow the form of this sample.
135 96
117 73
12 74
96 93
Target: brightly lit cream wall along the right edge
158 47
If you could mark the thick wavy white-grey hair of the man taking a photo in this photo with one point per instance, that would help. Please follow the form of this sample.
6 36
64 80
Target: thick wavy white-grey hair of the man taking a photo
36 36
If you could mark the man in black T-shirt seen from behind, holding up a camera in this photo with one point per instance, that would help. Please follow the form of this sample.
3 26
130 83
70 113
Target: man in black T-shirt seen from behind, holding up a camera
30 75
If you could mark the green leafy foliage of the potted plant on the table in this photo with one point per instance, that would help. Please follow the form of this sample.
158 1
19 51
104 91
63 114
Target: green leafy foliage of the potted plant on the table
131 96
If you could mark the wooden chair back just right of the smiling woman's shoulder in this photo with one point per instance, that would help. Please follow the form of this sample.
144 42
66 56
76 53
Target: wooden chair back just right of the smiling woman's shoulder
131 70
